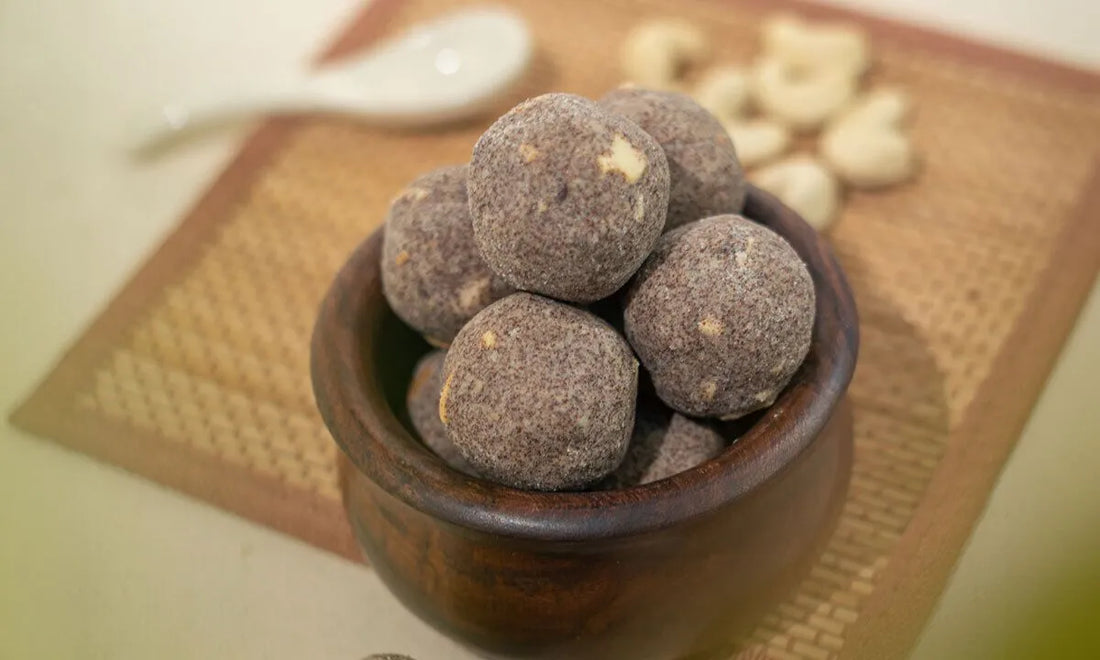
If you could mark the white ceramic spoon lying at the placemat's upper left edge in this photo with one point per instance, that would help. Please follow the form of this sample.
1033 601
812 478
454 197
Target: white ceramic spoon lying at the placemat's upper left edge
438 72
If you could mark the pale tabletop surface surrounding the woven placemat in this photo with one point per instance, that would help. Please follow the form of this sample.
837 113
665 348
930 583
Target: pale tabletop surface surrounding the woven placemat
98 564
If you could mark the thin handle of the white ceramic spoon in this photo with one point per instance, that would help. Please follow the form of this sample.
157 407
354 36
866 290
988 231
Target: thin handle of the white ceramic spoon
173 122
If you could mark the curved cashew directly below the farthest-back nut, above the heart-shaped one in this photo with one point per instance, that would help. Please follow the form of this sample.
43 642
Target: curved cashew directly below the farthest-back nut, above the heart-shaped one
801 98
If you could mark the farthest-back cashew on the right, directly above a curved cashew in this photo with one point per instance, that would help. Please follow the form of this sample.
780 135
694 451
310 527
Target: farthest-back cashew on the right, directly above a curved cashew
839 47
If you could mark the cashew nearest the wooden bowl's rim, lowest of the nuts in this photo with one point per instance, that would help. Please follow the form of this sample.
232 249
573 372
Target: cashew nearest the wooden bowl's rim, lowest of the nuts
806 185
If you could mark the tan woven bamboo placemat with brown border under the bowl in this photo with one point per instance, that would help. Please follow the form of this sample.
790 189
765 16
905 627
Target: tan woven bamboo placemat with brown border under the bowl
967 281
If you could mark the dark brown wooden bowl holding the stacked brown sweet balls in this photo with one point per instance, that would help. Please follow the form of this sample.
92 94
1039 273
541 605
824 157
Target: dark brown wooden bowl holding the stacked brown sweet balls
657 571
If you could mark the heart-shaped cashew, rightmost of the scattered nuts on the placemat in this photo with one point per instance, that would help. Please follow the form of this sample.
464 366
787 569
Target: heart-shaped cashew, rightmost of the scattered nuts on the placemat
865 146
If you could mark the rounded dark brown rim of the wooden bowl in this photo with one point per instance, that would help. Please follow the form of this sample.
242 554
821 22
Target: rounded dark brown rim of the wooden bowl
366 428
